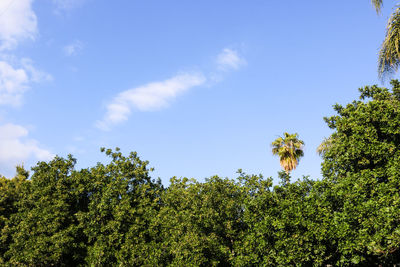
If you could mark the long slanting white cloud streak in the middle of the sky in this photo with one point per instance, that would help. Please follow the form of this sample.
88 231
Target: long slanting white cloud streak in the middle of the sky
149 97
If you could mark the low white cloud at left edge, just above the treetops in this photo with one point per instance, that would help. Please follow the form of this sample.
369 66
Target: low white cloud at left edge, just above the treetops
15 147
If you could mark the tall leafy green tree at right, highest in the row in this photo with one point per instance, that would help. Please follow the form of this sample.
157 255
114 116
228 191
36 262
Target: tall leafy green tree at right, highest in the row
363 164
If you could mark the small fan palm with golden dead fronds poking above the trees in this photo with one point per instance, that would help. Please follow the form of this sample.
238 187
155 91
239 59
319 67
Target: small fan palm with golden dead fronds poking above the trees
289 149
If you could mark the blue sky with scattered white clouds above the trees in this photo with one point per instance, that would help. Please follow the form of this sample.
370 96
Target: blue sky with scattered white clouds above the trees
197 88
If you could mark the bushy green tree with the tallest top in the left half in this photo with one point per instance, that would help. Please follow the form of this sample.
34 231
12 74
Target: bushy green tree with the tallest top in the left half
122 200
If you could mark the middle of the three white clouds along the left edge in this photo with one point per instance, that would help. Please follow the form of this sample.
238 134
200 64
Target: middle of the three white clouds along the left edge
15 81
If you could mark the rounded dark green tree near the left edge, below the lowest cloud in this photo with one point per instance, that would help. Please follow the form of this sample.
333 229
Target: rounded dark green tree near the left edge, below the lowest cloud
44 231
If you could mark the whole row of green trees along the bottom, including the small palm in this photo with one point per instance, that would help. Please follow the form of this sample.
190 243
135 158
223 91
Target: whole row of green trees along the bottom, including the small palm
115 214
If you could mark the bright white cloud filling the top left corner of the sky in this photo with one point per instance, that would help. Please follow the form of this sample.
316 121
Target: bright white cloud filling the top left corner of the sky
17 22
